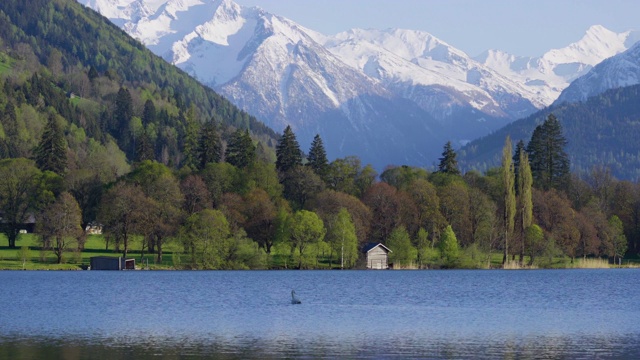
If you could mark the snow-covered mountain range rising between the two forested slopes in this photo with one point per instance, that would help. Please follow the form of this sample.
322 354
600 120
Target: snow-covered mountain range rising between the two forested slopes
390 96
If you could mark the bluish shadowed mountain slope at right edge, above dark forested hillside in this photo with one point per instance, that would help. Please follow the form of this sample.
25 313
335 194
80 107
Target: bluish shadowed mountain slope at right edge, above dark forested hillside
618 71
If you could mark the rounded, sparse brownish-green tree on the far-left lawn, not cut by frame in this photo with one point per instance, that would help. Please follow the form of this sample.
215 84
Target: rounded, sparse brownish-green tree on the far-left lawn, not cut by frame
61 222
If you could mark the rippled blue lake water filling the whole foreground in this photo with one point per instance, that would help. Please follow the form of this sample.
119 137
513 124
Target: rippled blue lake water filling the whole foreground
348 314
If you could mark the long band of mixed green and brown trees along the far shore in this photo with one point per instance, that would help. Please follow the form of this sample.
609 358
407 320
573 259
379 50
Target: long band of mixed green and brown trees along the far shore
232 209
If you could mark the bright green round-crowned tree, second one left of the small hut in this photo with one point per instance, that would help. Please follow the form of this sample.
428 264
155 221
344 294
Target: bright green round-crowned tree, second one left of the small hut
305 228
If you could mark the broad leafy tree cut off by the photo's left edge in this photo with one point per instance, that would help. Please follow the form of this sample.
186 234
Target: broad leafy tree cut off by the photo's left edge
22 193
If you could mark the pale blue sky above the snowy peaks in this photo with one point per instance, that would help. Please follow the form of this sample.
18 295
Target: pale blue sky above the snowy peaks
521 27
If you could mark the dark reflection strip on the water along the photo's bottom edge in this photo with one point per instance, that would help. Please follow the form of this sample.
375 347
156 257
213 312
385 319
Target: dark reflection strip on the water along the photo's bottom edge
383 346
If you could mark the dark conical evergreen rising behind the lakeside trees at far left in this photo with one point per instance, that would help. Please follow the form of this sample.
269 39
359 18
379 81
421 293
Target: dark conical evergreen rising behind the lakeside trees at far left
51 152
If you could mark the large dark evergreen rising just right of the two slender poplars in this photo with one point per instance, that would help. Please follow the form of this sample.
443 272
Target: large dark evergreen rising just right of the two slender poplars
549 162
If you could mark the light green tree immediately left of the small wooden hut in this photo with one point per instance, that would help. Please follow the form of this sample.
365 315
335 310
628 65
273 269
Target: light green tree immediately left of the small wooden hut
342 238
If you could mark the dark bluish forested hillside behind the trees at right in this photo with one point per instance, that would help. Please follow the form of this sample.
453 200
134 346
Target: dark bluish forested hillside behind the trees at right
602 131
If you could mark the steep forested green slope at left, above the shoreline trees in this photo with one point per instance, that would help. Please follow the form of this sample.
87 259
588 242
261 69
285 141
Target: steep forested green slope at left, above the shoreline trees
58 57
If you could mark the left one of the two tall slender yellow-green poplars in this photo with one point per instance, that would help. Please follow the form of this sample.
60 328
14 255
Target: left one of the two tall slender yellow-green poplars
509 196
